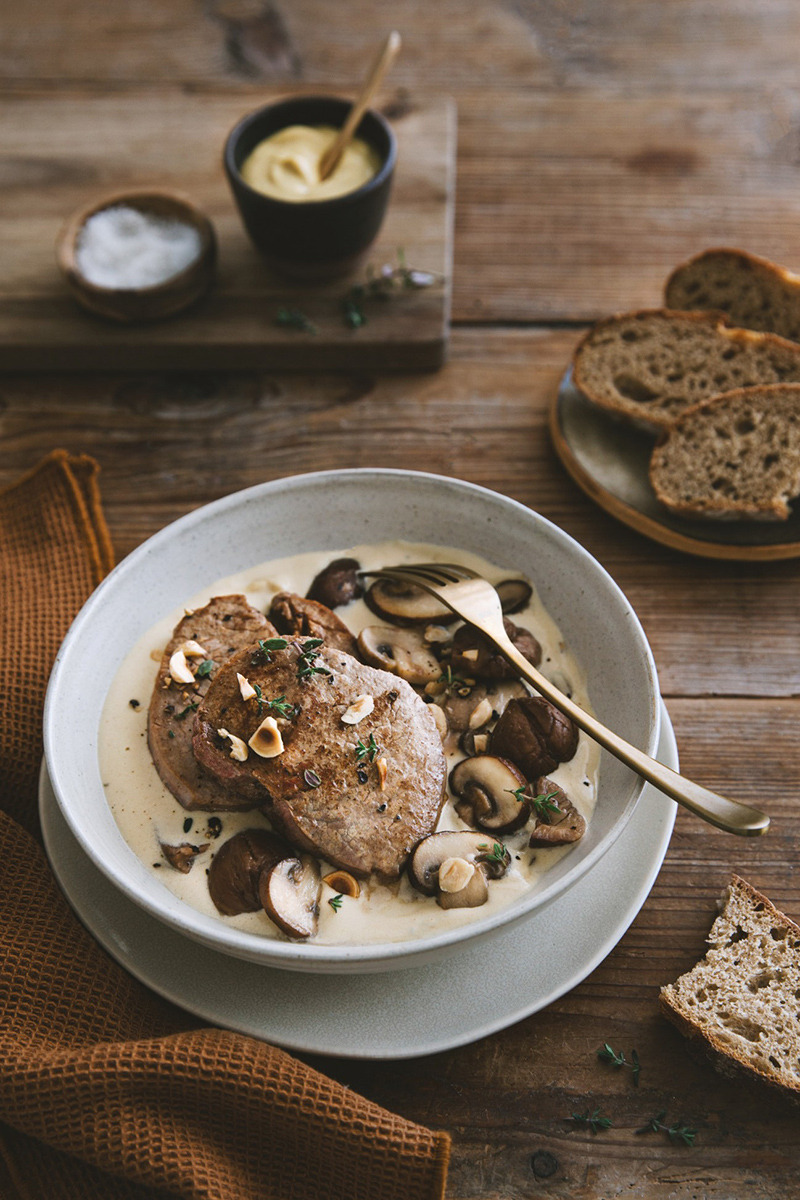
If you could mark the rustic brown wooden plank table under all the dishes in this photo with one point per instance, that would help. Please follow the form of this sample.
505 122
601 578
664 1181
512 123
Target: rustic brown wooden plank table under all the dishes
596 153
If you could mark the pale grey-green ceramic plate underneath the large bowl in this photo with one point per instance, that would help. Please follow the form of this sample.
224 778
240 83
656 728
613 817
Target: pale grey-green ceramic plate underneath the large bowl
413 1012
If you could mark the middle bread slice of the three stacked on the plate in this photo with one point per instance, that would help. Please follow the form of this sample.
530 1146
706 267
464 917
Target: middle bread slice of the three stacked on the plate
651 367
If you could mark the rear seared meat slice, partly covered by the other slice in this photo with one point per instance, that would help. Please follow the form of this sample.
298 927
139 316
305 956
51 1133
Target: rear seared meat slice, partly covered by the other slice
222 628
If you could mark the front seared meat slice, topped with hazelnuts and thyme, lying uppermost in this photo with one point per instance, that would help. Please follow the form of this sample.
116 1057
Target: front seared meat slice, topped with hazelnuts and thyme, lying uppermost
358 795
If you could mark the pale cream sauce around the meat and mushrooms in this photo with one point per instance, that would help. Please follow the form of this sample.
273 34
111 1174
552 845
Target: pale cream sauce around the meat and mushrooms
148 814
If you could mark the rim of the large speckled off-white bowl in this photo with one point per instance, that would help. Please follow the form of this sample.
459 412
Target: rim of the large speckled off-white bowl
293 956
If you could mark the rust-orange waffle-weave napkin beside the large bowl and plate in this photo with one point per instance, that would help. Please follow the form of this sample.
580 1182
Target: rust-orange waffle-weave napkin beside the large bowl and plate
107 1091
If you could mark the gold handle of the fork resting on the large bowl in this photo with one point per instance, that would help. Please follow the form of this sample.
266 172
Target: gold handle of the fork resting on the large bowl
718 811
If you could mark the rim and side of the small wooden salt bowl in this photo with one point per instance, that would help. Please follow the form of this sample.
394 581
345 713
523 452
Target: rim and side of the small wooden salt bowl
68 242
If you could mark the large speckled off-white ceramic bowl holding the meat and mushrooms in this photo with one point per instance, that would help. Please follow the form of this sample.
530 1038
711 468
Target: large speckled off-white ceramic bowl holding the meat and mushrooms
333 509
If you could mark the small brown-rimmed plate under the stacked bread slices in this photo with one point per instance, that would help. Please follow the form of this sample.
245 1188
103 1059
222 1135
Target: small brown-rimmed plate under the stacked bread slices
610 461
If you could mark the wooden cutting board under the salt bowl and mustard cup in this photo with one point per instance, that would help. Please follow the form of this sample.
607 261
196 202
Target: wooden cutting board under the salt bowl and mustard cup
62 154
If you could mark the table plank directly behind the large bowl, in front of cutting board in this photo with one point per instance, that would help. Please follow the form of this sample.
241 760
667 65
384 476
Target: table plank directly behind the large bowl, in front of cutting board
170 445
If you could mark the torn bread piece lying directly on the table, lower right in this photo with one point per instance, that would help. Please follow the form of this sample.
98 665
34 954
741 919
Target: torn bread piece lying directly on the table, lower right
741 1003
